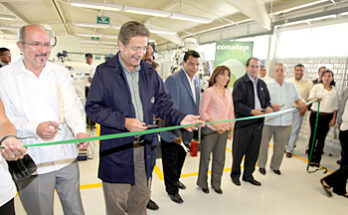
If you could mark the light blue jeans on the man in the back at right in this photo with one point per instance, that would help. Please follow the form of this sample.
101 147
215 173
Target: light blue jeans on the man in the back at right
295 130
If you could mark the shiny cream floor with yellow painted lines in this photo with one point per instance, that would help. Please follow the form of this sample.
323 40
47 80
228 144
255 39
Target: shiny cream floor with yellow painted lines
293 192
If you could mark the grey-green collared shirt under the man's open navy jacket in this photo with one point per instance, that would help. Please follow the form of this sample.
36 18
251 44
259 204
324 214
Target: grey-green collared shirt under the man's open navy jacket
133 83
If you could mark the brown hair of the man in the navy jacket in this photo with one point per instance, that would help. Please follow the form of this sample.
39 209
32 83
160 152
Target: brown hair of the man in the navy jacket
132 29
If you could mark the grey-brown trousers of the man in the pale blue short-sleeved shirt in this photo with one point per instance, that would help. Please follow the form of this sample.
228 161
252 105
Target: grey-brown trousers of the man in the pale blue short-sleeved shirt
280 136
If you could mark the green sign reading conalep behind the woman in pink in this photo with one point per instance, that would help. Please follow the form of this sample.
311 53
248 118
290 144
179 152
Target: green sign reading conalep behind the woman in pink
233 55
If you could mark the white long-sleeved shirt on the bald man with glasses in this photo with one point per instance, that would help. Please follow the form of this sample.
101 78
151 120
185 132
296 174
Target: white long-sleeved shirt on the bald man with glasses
31 100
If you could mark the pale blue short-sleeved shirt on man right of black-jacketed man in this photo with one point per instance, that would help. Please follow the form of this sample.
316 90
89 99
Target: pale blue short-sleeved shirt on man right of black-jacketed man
284 95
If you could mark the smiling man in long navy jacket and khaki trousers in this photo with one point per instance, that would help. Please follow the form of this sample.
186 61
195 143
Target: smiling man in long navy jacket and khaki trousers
124 95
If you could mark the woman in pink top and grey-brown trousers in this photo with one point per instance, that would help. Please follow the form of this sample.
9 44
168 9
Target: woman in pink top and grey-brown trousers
217 104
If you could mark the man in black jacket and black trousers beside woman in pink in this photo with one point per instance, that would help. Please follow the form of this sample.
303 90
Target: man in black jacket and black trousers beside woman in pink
250 98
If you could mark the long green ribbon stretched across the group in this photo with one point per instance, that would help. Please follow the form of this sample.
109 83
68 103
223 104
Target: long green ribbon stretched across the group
149 131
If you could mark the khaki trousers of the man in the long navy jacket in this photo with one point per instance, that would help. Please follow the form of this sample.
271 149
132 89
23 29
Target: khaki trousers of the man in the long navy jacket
123 199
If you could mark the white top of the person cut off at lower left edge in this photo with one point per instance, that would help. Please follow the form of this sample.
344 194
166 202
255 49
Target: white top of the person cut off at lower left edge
7 187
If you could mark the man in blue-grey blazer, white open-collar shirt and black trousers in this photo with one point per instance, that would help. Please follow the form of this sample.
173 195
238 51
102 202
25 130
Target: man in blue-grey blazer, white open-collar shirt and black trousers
183 87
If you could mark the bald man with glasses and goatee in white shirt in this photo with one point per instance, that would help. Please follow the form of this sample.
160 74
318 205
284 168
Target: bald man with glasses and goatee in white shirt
41 102
